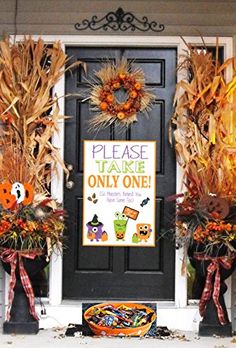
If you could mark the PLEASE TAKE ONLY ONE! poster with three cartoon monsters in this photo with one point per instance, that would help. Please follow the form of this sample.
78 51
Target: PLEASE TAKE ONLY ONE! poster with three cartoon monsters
119 193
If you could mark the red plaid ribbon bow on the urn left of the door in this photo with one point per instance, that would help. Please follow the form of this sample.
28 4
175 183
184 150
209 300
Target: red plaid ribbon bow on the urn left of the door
12 256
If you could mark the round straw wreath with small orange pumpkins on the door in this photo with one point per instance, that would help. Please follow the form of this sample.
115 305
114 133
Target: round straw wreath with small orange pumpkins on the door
109 80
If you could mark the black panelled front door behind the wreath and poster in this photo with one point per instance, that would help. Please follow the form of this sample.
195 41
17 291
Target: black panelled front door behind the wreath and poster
106 273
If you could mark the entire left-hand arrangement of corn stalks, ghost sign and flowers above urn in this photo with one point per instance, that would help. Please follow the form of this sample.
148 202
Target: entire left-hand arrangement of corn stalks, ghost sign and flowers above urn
29 217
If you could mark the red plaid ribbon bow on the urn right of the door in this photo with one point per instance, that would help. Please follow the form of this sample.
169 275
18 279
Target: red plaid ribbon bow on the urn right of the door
213 268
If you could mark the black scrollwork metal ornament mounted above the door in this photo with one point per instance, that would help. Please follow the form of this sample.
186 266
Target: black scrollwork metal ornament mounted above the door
120 20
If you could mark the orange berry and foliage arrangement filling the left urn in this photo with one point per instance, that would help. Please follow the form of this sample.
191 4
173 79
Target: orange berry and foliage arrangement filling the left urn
33 226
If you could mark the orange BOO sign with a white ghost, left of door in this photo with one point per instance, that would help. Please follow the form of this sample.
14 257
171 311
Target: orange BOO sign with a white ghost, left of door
13 194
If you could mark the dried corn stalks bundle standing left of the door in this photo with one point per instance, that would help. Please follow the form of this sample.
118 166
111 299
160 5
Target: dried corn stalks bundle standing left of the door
29 111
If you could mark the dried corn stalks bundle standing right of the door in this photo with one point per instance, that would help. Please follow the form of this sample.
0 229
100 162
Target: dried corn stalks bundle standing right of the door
205 126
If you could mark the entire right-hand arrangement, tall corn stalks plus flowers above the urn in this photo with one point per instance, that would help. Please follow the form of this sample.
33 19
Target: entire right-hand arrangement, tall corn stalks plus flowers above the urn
204 130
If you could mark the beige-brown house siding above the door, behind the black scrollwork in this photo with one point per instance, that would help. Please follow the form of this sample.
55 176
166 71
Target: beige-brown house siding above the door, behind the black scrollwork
179 17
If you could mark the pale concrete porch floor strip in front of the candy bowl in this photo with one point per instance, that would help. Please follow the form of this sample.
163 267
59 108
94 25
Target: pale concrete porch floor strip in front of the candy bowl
55 338
